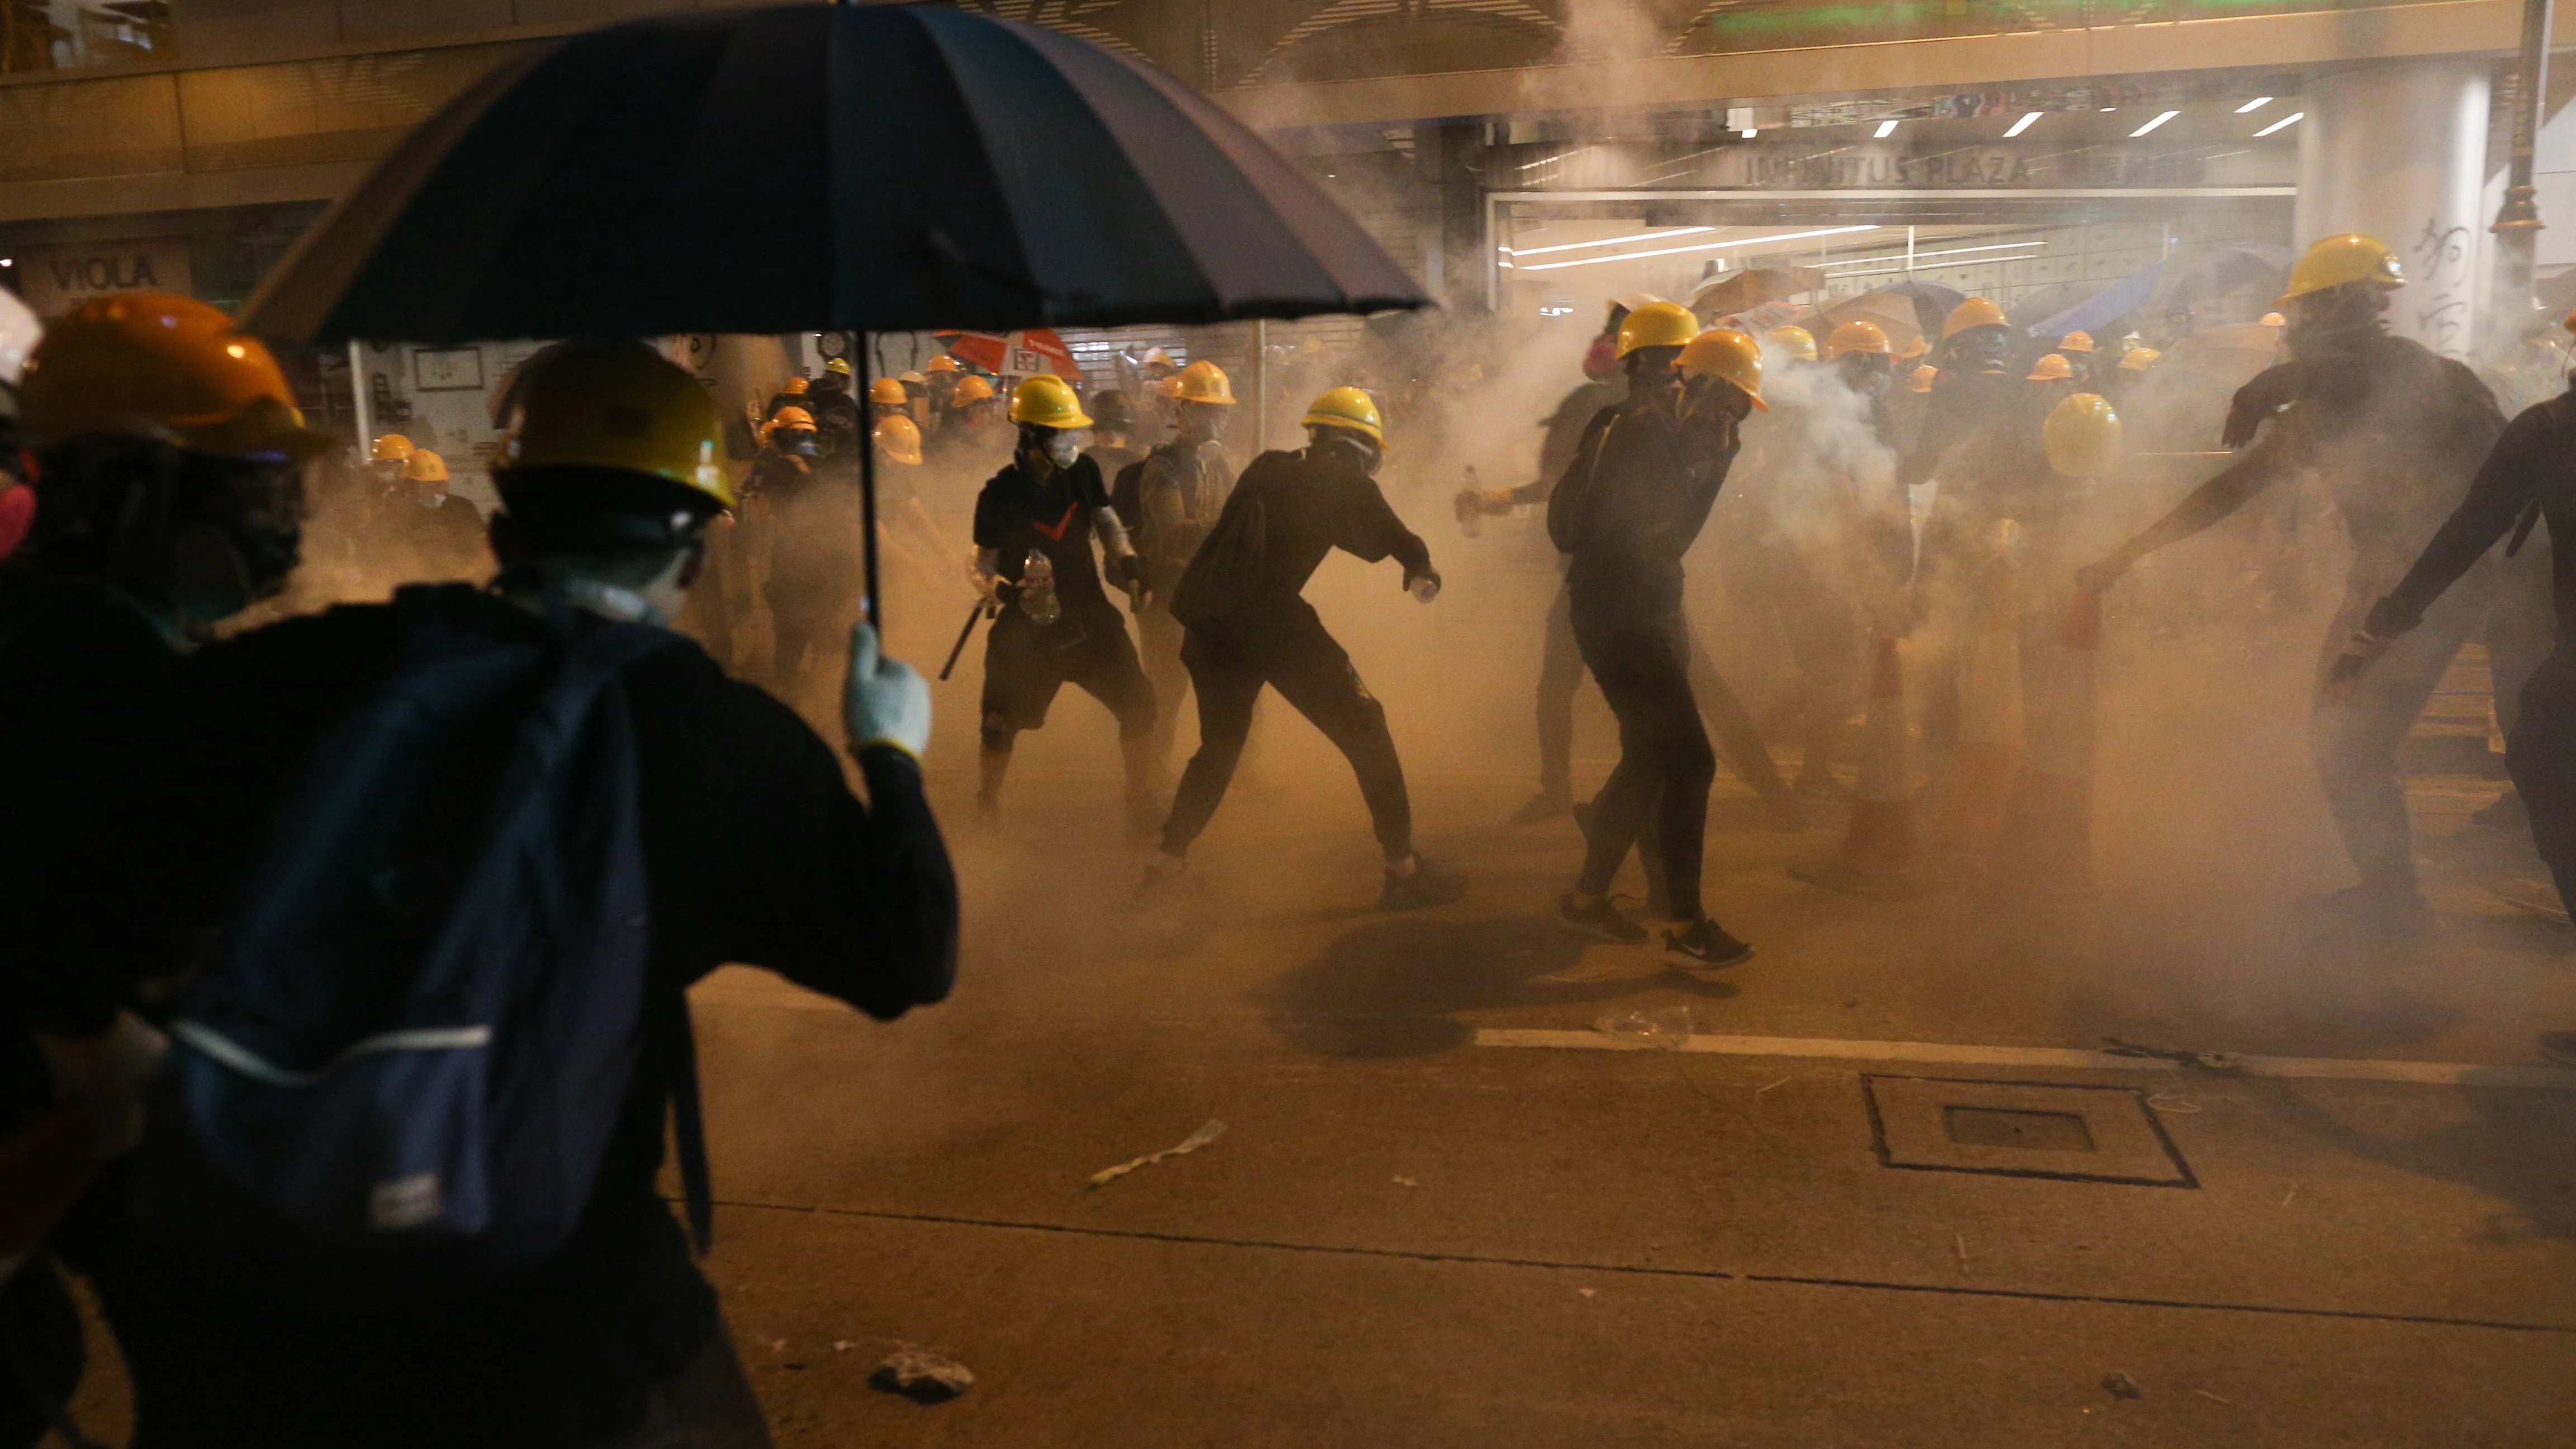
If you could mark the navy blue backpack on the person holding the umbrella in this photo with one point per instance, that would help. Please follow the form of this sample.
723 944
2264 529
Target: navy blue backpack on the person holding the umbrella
413 1040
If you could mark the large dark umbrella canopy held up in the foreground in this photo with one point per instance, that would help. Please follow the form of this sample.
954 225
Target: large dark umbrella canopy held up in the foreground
823 166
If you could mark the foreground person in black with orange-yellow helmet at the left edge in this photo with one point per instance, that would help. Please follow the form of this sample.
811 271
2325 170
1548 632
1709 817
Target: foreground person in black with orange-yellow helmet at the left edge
171 458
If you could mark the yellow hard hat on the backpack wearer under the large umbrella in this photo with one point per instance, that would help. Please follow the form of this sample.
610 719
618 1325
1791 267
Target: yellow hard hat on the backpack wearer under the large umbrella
620 406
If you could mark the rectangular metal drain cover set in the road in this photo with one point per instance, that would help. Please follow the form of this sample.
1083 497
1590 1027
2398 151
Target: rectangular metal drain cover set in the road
2023 1131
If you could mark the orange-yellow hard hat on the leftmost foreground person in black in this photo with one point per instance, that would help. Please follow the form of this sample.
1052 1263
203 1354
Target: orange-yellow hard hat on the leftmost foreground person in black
151 362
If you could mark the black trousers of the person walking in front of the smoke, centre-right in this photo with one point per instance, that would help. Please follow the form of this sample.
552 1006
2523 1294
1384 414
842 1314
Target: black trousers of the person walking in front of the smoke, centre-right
1658 798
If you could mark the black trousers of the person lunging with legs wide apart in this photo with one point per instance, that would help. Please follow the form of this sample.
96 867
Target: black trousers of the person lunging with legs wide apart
1292 654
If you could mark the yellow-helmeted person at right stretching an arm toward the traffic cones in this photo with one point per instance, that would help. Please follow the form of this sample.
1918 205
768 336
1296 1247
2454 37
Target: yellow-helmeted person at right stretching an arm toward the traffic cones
2397 434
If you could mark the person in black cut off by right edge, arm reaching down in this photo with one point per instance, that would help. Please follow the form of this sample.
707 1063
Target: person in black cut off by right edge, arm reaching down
2528 478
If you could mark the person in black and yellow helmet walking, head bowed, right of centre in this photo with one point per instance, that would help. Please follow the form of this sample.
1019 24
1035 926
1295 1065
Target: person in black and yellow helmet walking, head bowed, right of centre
1627 514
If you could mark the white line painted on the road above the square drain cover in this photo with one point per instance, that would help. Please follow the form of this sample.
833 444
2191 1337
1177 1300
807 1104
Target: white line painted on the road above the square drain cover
1944 1053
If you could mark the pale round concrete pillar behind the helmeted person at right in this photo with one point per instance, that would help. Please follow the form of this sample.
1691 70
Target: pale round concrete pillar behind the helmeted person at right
2400 153
